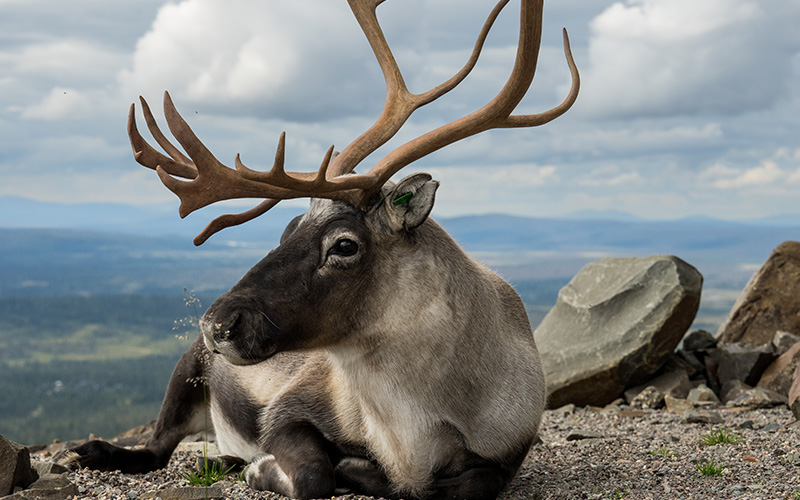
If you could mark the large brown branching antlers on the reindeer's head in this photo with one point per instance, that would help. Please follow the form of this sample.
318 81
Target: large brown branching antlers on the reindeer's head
209 181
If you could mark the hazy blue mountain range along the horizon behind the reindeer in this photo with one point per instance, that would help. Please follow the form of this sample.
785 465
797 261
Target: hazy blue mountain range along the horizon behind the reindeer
48 248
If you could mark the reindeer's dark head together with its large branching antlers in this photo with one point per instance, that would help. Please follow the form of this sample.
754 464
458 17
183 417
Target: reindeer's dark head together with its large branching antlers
305 293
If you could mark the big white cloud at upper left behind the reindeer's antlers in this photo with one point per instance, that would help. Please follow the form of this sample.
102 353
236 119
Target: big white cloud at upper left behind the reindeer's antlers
263 58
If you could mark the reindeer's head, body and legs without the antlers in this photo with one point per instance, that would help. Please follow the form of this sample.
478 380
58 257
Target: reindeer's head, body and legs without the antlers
417 375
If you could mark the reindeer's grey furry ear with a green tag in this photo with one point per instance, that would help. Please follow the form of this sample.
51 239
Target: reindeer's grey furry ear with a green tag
411 201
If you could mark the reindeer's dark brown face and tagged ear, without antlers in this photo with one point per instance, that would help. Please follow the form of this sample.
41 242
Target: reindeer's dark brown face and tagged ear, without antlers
317 287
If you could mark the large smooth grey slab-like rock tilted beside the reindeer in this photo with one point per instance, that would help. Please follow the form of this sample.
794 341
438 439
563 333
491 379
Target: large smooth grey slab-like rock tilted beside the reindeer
614 325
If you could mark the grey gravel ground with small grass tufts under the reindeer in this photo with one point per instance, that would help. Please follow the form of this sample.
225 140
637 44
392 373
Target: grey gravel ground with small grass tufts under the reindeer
585 454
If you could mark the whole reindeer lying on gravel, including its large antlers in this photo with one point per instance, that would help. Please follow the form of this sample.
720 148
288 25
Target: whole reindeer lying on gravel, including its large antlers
367 352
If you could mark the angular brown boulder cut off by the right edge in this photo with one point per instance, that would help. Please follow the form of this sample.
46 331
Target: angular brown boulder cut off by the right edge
768 303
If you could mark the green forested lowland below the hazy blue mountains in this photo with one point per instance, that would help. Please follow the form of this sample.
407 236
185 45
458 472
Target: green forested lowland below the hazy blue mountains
75 365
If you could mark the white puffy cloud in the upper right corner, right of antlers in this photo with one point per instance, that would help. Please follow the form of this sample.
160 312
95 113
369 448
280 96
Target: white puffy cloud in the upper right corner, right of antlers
687 57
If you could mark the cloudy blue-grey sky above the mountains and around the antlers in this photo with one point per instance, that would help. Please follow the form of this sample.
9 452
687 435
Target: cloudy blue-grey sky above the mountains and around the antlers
687 108
